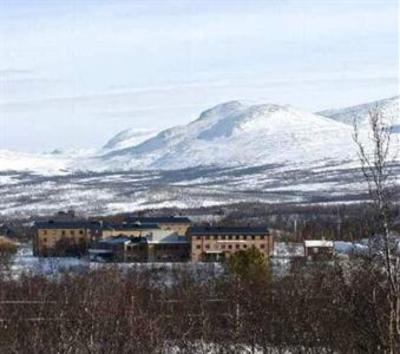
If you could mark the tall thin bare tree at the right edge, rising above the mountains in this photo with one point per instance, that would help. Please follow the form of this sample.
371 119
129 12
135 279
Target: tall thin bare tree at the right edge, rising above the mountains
376 158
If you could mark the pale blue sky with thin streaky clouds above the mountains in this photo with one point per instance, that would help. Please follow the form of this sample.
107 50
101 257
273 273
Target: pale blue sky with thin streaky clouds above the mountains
75 73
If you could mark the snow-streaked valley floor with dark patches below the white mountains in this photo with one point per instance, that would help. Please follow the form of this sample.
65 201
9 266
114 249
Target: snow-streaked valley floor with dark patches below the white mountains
109 193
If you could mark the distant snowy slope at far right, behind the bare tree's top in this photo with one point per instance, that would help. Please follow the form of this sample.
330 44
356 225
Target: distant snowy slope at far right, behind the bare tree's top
390 108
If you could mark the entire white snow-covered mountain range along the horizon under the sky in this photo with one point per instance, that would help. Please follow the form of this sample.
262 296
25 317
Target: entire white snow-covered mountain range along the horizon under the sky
228 135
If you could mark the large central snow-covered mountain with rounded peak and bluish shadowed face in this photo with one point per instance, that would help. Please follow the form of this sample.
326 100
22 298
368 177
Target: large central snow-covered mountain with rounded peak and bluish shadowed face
234 134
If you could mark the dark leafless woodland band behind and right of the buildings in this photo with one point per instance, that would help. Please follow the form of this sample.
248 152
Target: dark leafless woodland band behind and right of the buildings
347 222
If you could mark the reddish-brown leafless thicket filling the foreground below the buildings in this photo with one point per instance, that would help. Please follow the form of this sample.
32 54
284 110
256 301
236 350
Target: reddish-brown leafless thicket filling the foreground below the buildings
325 309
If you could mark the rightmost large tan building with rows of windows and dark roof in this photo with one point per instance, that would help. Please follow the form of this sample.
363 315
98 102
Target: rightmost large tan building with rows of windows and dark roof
218 243
